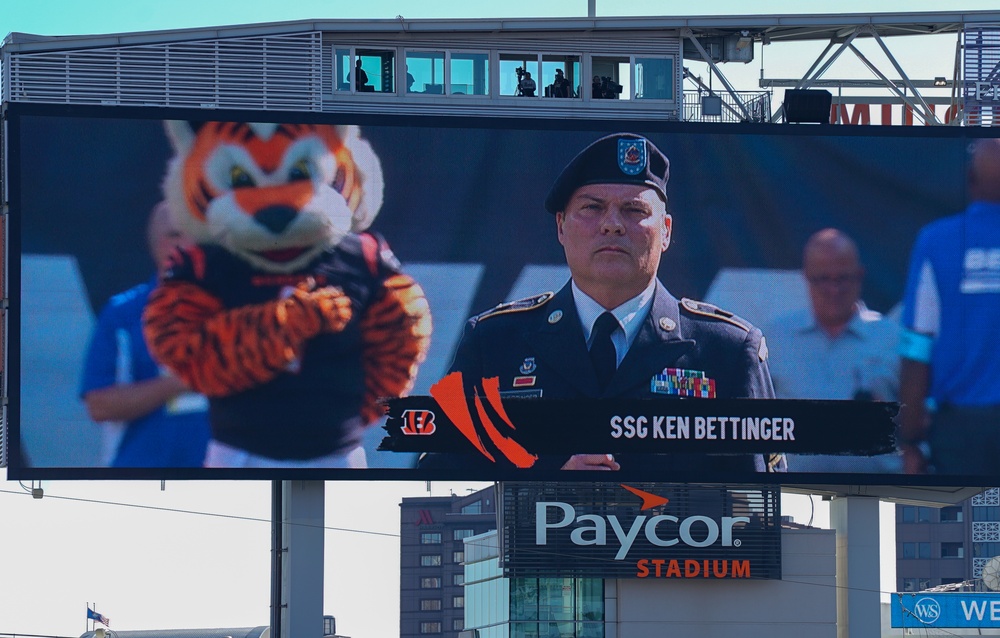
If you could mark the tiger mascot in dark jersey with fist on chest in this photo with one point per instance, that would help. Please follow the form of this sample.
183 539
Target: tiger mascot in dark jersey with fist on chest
286 314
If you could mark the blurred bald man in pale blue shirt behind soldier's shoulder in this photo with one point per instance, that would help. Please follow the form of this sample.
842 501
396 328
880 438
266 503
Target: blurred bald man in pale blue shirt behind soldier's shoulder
836 348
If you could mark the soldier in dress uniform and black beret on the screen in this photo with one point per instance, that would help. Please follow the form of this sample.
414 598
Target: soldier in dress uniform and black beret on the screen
614 328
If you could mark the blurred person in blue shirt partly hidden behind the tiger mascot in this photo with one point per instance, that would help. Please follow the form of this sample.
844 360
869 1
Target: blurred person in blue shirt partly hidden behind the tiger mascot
150 417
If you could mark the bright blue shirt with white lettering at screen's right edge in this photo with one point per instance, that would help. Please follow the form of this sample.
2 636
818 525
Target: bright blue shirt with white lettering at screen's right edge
953 296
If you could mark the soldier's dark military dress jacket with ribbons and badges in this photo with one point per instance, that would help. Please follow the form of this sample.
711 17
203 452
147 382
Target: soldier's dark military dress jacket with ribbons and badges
544 334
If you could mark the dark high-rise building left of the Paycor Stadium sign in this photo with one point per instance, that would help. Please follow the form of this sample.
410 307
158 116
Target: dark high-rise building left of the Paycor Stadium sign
432 528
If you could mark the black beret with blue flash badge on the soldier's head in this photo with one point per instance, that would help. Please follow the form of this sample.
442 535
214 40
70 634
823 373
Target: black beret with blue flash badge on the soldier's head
622 158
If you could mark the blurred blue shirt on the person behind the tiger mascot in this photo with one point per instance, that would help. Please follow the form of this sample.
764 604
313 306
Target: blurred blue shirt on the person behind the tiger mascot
176 435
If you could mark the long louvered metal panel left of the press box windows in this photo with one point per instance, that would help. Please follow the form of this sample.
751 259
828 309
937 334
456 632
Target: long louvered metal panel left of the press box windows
281 72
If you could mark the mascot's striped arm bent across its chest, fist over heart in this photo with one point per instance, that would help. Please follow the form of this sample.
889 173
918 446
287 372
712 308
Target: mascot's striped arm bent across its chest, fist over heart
219 352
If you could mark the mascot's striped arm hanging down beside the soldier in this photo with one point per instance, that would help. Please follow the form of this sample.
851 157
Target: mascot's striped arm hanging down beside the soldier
395 336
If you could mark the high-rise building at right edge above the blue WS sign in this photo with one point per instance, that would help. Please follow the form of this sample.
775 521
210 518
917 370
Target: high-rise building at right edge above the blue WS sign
948 545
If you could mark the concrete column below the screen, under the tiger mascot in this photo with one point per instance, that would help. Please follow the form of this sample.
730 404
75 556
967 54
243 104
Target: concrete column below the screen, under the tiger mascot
302 523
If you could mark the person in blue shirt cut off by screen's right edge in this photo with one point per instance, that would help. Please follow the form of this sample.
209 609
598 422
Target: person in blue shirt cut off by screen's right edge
950 353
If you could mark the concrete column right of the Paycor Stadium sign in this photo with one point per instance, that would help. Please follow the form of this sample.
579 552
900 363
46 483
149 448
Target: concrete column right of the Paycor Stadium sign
856 521
